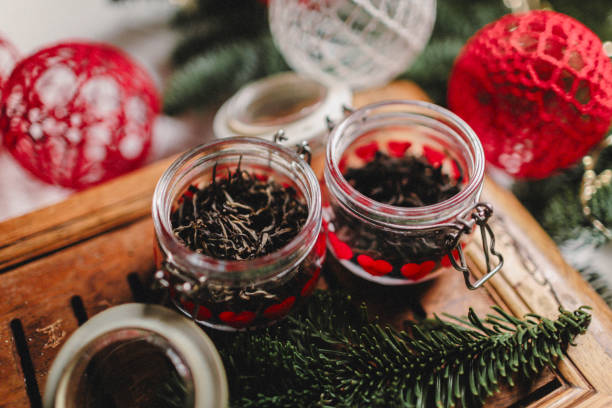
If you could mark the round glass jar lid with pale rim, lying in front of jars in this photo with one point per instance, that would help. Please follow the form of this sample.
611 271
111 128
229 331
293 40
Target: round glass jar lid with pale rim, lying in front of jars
137 355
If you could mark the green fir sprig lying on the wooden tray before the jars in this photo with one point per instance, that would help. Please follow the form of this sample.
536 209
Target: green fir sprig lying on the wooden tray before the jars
331 355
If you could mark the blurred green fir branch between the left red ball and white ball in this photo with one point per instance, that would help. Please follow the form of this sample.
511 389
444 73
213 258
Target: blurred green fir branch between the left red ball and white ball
225 44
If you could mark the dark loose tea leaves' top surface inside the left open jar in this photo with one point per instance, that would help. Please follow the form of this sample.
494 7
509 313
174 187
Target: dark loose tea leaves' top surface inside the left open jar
239 217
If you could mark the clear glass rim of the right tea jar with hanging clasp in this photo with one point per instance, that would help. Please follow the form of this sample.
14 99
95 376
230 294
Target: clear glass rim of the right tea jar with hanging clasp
396 214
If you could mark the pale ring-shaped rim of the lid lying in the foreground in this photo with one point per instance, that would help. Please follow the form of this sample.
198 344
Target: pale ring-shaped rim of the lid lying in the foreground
190 344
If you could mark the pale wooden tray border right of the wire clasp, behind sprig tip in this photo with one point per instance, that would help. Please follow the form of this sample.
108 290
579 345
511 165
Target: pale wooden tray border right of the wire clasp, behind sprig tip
538 280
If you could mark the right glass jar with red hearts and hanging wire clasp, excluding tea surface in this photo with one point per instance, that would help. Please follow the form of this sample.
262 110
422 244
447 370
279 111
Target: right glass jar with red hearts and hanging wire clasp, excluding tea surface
395 245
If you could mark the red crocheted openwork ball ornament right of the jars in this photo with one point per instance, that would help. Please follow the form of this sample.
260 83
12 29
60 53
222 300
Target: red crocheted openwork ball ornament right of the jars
536 88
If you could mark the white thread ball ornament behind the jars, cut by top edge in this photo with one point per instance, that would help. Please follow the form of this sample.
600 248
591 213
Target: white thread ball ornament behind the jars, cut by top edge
363 43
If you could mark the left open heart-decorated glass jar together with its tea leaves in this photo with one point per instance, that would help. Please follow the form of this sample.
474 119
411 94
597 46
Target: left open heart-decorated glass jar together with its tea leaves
237 293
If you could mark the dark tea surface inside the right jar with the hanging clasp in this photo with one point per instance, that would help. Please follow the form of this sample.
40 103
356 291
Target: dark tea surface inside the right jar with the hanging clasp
406 181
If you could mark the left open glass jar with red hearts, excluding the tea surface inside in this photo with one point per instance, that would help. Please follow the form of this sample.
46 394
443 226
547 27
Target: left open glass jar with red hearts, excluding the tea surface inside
234 295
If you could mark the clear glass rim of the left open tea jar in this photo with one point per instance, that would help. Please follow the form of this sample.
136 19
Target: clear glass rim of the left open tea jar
183 256
